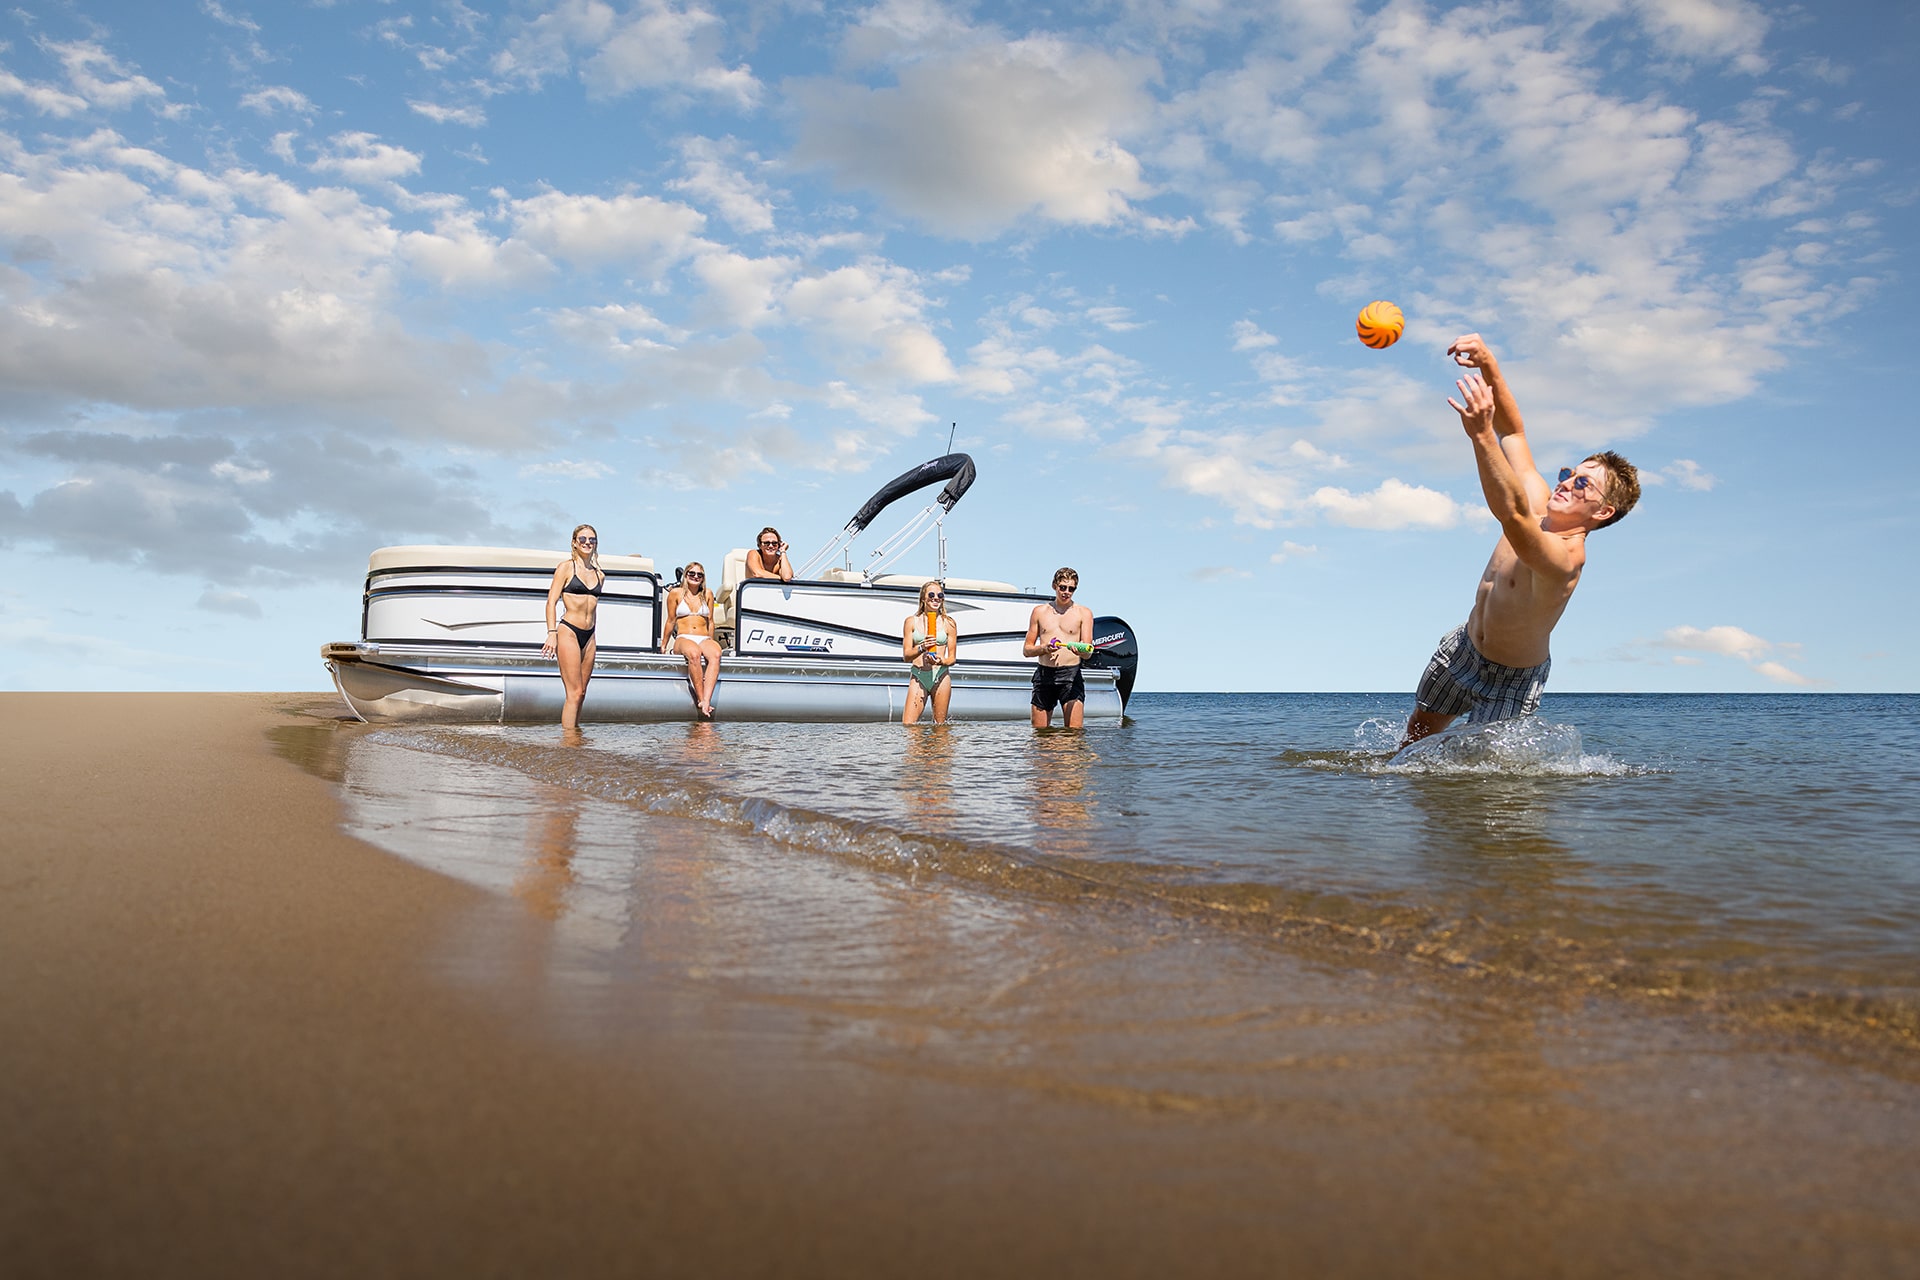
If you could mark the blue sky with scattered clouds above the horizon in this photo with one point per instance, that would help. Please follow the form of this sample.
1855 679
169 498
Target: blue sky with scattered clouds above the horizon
287 283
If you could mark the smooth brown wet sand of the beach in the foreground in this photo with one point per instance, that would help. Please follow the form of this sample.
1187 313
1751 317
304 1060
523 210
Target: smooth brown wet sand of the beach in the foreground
237 1041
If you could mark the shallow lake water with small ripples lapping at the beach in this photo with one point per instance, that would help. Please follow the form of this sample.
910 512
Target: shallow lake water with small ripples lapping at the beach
1752 855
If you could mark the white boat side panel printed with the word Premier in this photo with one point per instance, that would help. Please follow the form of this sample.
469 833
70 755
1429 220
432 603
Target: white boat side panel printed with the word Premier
850 621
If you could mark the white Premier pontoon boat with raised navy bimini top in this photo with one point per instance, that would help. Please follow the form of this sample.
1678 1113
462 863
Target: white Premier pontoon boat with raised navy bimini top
454 634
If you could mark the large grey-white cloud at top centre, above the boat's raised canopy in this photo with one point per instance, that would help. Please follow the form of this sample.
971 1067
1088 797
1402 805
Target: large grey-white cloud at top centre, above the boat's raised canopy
972 139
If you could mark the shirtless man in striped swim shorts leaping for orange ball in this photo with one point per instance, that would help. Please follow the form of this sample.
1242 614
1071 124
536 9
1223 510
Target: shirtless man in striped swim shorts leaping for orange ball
1495 667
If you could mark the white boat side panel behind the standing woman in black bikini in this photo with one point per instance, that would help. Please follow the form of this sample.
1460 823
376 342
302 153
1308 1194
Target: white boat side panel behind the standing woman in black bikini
500 609
